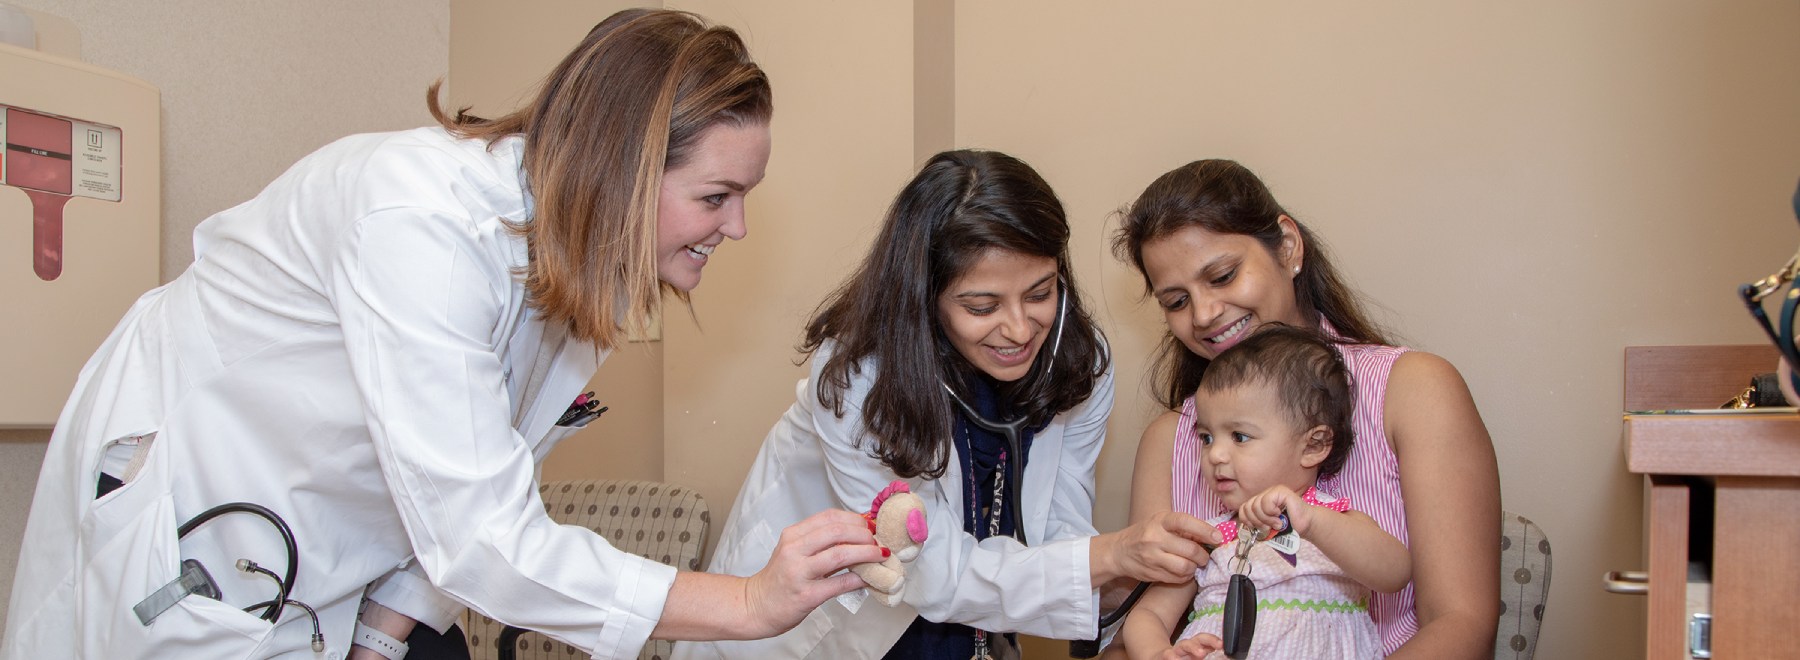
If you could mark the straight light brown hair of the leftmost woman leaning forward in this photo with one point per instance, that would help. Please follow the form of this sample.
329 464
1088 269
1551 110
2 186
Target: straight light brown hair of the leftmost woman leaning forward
625 105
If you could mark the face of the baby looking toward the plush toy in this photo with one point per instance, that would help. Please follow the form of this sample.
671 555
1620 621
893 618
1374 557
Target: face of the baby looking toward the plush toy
1250 445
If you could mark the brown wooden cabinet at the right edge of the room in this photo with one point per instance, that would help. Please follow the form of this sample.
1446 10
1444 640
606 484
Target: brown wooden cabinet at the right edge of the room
1749 467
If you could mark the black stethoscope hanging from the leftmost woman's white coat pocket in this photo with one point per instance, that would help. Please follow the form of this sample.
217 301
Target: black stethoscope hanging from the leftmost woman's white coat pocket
197 580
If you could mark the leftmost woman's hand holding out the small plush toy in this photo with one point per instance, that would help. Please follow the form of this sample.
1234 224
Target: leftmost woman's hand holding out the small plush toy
805 567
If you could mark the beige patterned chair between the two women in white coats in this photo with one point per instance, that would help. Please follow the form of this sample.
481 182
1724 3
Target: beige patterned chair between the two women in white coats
654 521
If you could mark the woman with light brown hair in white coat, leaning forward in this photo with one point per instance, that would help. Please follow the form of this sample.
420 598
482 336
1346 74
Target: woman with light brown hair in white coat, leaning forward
379 350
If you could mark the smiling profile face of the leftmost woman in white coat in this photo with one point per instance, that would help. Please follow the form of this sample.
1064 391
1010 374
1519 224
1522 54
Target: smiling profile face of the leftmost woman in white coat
703 201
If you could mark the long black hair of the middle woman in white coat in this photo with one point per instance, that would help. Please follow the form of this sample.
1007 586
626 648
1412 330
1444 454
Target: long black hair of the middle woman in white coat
960 206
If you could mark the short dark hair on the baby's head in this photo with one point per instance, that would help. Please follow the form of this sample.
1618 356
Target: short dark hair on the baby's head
1308 375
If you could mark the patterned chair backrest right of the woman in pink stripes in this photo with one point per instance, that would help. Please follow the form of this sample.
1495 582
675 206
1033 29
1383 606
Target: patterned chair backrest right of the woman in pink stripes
1524 587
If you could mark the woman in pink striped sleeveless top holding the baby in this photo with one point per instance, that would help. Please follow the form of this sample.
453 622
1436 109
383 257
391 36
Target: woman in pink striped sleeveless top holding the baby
1225 262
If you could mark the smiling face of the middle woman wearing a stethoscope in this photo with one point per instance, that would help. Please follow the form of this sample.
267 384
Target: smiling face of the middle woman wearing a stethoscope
1000 312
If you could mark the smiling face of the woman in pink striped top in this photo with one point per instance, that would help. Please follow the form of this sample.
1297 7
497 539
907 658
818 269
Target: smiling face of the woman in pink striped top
1219 289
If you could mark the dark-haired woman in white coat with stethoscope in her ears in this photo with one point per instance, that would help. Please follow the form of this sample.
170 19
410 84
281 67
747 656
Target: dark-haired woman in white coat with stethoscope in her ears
966 299
